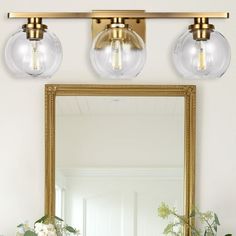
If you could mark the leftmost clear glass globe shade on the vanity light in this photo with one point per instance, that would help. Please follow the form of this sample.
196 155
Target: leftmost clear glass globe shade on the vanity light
33 58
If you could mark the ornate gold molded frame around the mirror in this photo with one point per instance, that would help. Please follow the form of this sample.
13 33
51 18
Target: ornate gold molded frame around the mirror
186 91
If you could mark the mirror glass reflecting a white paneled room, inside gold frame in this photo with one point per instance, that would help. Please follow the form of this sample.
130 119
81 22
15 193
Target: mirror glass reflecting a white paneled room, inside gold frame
117 159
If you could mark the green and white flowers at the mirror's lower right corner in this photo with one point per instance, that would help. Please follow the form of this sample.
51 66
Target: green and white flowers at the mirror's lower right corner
209 222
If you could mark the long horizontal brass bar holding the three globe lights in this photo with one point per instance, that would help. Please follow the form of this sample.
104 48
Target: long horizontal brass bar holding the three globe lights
119 14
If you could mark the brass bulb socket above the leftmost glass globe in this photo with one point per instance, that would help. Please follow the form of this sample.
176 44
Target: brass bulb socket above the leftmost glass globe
34 29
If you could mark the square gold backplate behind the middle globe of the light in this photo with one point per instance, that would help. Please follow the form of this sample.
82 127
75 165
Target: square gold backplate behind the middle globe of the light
138 25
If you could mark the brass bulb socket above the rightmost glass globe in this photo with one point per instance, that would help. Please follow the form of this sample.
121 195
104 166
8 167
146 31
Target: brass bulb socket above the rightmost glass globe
201 29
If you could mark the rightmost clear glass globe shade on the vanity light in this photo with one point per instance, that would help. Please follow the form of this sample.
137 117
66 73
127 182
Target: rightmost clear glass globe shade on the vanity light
202 59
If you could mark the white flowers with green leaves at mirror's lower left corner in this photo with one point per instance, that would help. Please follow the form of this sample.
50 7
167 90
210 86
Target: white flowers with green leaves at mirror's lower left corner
47 226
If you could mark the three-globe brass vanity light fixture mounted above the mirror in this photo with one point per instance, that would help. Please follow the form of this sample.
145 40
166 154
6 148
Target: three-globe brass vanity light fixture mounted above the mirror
118 49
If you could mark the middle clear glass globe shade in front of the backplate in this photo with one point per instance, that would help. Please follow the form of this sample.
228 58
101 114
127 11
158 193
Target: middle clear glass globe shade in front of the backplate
118 58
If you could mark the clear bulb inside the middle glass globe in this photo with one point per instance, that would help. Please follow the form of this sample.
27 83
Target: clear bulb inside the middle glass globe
116 54
